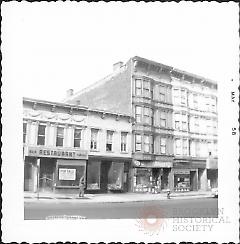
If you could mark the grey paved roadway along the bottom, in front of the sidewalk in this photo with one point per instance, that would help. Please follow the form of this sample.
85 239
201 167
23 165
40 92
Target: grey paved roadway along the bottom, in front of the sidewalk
50 209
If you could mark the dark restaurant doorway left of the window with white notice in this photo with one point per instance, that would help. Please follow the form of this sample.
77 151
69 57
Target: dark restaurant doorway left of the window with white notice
46 174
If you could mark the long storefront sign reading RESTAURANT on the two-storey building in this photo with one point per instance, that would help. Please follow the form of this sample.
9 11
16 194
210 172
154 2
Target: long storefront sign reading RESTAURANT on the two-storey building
55 153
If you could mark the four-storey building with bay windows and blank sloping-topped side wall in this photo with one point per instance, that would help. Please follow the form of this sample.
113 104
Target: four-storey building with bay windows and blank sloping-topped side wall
174 132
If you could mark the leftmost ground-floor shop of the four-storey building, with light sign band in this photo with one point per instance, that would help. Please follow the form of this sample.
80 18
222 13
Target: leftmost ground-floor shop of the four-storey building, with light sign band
151 176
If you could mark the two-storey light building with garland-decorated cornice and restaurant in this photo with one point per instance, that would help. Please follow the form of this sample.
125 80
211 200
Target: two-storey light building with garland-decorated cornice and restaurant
63 143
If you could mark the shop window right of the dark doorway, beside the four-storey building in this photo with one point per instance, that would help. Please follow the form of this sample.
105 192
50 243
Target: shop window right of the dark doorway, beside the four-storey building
115 176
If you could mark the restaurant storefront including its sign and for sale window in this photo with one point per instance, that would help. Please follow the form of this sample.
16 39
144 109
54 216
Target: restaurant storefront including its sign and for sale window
53 169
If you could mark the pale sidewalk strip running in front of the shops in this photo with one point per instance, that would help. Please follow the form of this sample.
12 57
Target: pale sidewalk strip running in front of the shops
113 197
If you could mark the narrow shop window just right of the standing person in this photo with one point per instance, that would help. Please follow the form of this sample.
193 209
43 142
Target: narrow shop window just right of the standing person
93 175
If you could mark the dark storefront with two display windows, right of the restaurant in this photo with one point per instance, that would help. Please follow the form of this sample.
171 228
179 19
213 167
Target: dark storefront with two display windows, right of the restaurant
107 176
